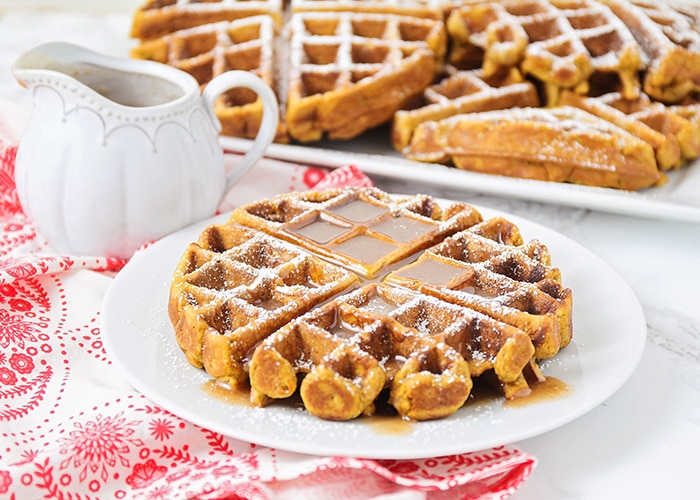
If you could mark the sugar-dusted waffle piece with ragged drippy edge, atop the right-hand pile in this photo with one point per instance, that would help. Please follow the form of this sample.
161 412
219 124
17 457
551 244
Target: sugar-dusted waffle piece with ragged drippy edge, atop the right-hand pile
562 43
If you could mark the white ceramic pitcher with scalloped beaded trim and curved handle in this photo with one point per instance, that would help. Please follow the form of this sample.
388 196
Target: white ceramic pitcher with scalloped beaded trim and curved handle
119 152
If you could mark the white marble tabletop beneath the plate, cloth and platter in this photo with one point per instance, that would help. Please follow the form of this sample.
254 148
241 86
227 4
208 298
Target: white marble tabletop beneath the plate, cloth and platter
641 443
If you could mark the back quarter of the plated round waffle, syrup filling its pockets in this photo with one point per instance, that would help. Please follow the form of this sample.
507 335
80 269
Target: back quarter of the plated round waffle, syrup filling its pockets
363 230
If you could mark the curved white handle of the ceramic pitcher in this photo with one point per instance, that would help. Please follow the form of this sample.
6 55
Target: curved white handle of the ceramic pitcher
268 126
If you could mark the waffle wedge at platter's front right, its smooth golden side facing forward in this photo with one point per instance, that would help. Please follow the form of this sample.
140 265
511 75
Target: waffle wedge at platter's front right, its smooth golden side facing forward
561 144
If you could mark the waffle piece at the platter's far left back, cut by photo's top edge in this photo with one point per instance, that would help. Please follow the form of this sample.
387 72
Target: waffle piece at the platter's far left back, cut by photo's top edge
155 18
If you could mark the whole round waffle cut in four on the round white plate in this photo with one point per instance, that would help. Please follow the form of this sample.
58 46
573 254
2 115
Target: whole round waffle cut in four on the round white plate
349 295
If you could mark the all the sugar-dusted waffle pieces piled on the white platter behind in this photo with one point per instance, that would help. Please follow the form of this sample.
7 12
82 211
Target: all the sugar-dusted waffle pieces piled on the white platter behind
341 68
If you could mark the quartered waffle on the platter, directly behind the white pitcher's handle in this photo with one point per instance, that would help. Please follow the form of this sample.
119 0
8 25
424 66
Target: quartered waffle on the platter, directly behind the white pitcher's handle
340 68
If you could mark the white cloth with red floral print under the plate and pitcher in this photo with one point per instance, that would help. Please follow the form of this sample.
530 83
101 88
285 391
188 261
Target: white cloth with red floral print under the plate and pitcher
73 428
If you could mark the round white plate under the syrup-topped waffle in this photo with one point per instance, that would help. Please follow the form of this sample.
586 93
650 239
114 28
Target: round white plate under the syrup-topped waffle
609 338
